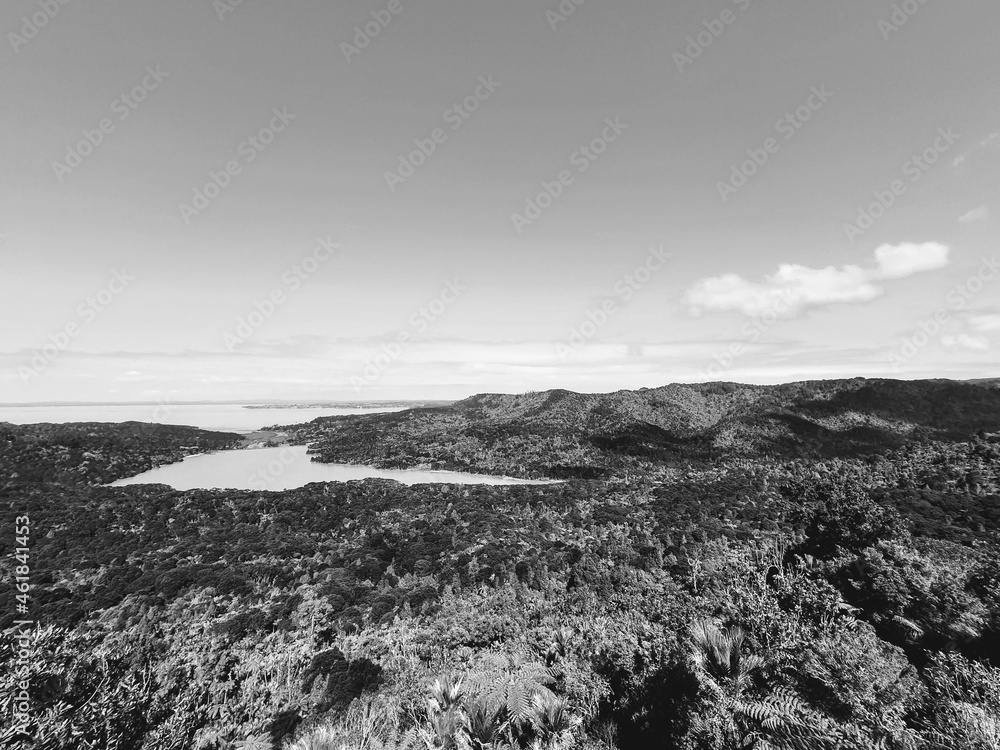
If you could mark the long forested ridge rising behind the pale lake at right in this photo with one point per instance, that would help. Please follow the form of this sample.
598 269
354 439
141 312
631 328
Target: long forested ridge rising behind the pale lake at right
562 433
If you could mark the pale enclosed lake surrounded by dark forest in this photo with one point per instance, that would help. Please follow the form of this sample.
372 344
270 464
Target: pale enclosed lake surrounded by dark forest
287 467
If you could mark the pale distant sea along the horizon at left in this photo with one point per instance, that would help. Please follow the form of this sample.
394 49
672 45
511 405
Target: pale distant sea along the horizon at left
220 417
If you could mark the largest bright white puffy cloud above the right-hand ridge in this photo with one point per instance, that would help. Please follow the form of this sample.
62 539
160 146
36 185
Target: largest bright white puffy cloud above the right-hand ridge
793 288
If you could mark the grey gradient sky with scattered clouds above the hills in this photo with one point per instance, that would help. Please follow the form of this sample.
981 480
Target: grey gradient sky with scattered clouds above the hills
433 198
